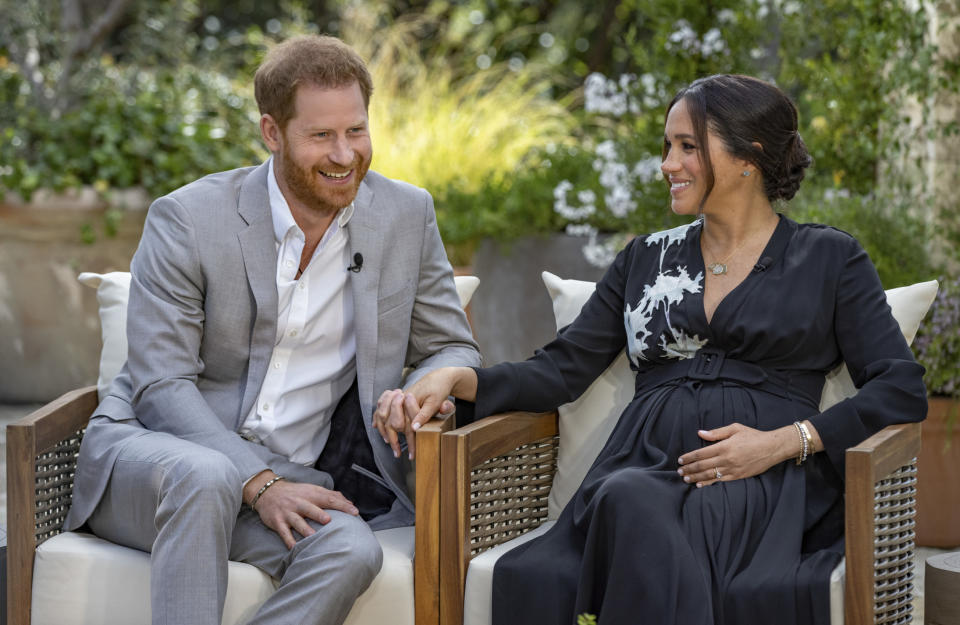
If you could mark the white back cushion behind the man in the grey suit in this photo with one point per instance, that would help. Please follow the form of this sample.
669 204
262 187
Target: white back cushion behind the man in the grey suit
113 290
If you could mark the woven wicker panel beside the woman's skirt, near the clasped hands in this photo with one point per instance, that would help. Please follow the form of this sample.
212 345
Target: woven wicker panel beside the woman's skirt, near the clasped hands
508 493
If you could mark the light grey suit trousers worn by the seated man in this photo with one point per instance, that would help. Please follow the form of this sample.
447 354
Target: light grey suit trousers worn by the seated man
181 502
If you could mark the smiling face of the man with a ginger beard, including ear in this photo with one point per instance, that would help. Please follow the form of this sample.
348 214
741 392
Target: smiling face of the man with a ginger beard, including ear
323 153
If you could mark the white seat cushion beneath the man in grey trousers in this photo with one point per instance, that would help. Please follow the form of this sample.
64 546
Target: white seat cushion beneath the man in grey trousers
79 579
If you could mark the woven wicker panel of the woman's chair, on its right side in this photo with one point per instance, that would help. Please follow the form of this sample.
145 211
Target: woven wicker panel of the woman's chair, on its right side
893 539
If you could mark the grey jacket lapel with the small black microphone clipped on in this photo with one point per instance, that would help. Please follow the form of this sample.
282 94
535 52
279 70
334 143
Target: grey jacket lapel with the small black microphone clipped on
366 240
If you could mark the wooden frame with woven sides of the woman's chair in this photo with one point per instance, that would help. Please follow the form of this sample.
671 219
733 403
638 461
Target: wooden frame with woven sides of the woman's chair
486 505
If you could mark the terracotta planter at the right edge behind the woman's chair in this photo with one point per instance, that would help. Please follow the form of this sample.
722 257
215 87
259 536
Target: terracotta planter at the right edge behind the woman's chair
938 490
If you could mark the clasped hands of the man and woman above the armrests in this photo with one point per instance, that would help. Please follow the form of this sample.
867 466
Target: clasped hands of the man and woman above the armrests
398 411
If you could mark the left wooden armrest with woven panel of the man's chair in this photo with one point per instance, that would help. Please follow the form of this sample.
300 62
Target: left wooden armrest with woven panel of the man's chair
41 458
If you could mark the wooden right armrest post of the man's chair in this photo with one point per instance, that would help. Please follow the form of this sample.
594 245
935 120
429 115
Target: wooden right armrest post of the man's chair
426 561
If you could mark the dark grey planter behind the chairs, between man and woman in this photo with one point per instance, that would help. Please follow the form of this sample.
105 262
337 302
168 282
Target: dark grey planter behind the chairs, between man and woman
511 312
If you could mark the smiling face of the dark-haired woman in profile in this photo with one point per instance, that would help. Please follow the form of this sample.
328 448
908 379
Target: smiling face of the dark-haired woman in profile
684 168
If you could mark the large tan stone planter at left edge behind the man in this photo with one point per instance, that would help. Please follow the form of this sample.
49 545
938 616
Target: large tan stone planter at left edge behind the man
49 325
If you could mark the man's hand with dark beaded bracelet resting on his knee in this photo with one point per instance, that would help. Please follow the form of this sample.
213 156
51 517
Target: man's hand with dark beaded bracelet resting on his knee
286 506
